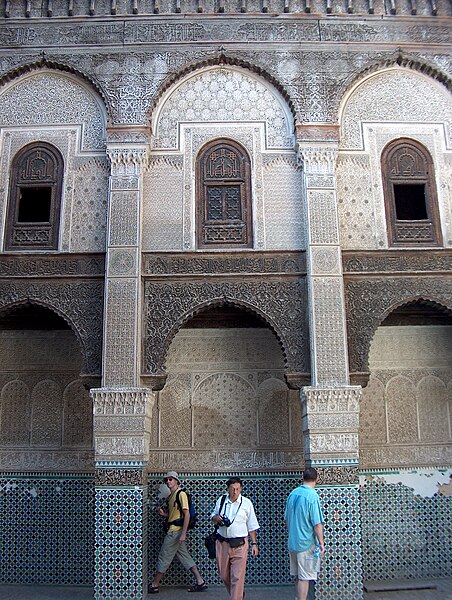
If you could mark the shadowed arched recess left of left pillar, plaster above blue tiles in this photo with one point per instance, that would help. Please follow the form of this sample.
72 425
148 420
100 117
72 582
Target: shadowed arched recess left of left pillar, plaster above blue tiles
46 450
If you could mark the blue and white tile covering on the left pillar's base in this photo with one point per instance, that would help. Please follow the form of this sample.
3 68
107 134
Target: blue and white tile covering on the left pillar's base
119 549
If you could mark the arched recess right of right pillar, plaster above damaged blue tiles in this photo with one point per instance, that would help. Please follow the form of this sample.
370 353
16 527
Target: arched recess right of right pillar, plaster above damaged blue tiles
405 438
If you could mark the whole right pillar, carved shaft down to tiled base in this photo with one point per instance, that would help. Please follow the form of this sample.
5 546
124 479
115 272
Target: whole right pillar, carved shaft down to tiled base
330 406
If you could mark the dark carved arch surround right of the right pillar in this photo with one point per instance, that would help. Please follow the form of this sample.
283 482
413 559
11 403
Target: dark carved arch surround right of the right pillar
370 302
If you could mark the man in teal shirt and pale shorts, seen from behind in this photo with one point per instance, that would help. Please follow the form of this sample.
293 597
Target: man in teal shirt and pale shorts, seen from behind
306 544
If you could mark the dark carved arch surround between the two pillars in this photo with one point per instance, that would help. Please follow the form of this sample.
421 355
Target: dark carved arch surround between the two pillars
281 304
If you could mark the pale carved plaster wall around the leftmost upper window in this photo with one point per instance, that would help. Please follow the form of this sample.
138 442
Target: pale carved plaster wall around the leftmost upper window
64 112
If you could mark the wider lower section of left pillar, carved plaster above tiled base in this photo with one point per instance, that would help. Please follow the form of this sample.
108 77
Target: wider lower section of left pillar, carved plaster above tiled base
122 425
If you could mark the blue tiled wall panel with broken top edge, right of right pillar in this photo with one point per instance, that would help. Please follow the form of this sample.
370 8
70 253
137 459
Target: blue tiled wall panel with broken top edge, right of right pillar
405 535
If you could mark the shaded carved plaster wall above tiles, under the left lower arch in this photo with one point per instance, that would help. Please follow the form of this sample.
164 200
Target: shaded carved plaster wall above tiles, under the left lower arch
45 411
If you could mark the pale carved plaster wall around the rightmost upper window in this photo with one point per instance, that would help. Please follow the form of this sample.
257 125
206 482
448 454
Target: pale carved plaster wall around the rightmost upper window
414 106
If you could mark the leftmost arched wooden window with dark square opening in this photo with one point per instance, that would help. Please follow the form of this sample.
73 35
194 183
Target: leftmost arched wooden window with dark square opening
34 199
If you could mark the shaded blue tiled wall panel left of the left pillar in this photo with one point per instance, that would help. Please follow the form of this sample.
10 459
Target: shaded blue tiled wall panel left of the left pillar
47 530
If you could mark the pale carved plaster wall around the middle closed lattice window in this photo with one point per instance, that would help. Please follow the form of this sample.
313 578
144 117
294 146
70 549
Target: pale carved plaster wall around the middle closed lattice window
221 102
